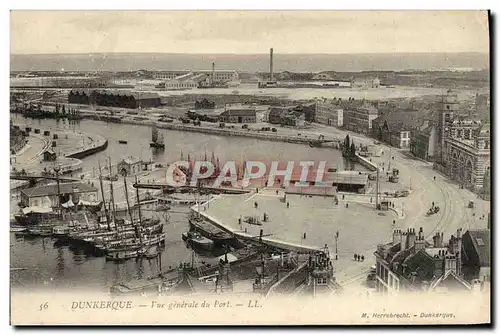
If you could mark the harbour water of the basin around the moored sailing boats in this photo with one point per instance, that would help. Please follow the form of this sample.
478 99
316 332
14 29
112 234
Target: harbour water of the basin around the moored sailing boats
43 262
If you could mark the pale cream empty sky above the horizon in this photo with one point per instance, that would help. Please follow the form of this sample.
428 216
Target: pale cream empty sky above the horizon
251 32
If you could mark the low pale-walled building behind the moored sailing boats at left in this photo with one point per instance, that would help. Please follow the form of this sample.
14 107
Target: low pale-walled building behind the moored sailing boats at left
47 196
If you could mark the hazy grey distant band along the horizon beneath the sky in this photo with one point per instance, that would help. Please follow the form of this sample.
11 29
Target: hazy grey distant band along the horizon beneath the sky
250 63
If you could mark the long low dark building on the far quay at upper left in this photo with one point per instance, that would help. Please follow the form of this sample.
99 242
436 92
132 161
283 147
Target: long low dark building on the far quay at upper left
123 99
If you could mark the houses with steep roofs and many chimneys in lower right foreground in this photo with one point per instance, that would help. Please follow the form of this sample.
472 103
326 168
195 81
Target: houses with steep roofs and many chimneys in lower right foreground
410 263
